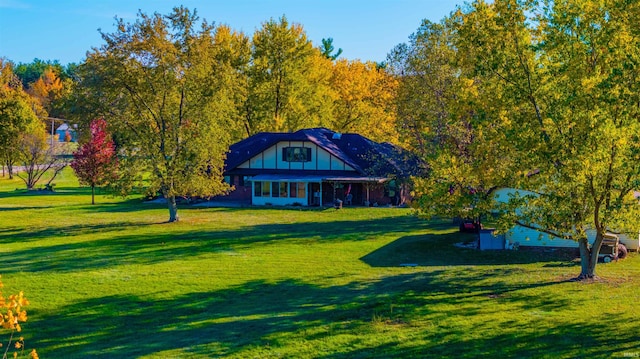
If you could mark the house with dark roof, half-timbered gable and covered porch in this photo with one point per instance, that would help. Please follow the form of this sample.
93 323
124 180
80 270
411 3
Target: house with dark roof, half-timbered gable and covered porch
316 167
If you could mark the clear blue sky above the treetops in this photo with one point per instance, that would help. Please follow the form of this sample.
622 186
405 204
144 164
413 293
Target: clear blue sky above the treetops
65 30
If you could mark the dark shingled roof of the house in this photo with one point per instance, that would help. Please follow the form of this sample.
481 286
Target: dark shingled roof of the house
367 157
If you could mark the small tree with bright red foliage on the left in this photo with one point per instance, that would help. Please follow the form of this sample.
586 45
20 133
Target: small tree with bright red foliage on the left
95 162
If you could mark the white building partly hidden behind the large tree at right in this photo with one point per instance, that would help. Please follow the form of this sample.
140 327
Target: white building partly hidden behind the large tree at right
531 237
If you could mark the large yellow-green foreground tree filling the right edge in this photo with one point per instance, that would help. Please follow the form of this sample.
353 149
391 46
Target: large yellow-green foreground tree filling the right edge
552 91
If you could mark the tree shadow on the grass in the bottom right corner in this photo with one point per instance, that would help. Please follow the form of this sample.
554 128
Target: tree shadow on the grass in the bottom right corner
589 339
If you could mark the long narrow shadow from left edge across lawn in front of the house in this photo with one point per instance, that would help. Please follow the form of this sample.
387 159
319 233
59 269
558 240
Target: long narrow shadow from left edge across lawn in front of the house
124 245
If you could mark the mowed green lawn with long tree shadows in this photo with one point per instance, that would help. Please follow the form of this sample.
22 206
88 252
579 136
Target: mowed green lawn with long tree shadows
114 280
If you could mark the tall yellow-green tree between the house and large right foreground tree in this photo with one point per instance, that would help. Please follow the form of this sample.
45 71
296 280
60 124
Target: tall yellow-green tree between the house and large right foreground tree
437 118
